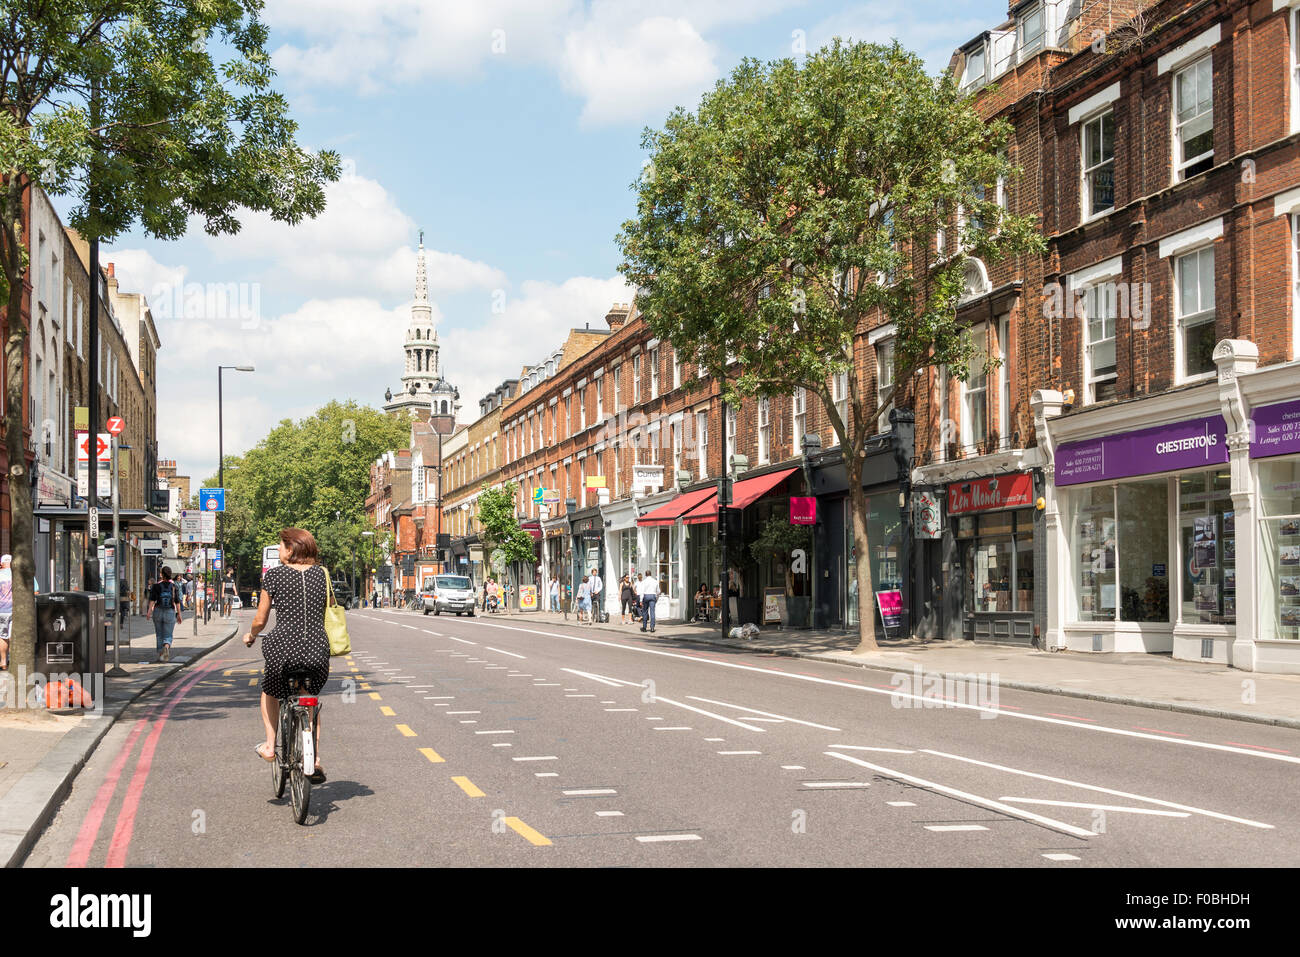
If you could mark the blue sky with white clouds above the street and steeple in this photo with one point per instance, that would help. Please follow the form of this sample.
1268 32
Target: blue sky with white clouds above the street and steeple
509 132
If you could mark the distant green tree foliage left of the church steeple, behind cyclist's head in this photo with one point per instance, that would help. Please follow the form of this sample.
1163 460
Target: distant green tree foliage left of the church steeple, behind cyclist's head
314 474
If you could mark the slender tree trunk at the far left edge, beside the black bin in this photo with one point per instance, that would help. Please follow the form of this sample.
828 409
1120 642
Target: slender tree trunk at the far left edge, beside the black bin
23 635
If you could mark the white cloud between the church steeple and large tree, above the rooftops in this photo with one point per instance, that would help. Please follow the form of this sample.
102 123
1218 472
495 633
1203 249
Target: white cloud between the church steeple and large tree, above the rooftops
530 327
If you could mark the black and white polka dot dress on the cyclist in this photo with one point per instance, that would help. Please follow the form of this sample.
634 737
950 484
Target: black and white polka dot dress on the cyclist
300 639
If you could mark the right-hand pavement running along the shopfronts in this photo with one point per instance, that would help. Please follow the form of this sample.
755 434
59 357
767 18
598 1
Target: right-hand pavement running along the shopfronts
1146 681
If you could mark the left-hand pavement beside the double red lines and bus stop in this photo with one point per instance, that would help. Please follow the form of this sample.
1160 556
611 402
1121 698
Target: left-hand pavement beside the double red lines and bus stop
41 755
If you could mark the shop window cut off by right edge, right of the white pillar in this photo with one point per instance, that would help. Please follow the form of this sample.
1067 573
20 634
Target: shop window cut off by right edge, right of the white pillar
1280 549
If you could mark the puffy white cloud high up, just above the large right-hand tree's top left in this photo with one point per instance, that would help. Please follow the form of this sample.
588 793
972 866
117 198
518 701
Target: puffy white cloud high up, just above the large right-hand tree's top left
636 73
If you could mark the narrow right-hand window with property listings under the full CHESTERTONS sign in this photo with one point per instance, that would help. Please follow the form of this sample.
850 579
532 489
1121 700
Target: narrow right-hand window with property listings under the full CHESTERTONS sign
1207 534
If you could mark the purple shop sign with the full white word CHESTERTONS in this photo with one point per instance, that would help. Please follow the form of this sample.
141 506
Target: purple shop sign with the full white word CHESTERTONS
1163 449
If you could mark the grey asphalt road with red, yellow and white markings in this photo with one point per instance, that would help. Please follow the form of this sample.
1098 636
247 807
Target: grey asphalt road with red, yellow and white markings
501 742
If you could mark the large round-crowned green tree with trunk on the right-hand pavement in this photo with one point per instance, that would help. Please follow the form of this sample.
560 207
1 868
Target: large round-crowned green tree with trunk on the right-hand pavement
796 203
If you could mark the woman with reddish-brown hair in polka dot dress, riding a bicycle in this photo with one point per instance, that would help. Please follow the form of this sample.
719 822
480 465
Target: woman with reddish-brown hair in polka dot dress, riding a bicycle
298 590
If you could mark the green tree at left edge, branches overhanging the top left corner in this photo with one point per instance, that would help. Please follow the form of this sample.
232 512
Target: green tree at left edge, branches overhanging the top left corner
123 106
